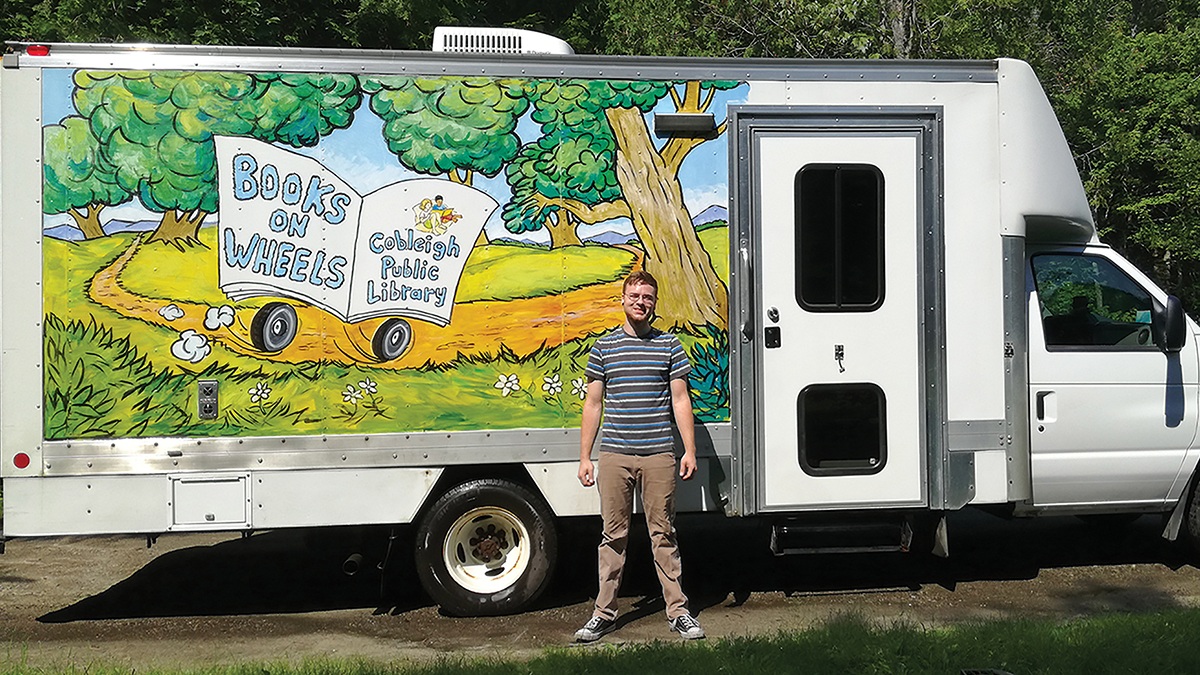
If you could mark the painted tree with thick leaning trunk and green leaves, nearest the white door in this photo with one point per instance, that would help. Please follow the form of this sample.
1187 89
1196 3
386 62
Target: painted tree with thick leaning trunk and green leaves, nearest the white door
649 176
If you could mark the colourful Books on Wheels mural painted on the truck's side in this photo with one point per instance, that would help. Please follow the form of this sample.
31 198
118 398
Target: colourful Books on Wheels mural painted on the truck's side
394 254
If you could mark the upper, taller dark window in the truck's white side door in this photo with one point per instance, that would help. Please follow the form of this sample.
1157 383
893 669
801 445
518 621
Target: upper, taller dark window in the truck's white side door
839 237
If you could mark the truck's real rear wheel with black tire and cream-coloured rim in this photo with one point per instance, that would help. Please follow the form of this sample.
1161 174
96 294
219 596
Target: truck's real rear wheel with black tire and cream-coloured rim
485 548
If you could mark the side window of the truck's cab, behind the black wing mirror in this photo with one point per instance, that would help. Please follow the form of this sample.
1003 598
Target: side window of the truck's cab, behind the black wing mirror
1087 302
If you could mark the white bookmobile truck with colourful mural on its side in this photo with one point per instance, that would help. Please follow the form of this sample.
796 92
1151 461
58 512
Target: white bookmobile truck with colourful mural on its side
255 289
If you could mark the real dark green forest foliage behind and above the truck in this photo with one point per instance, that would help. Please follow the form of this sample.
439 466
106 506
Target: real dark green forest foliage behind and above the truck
1123 75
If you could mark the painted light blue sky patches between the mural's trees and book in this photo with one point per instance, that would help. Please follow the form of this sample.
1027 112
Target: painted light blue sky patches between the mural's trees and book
361 157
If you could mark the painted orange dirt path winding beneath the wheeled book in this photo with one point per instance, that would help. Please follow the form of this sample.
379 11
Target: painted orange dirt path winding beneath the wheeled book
479 328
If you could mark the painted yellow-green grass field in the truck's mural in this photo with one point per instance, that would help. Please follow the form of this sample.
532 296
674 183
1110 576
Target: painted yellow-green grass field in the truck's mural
111 374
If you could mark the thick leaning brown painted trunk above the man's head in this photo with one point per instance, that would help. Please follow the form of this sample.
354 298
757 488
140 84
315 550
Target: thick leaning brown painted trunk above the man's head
691 294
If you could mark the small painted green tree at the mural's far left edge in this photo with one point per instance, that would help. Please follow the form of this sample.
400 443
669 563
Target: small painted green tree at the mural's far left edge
76 178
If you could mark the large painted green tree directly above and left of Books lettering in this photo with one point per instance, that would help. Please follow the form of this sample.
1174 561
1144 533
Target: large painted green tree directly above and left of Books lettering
157 129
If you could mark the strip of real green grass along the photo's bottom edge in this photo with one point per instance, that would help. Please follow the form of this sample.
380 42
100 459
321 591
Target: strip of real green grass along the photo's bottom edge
1117 643
